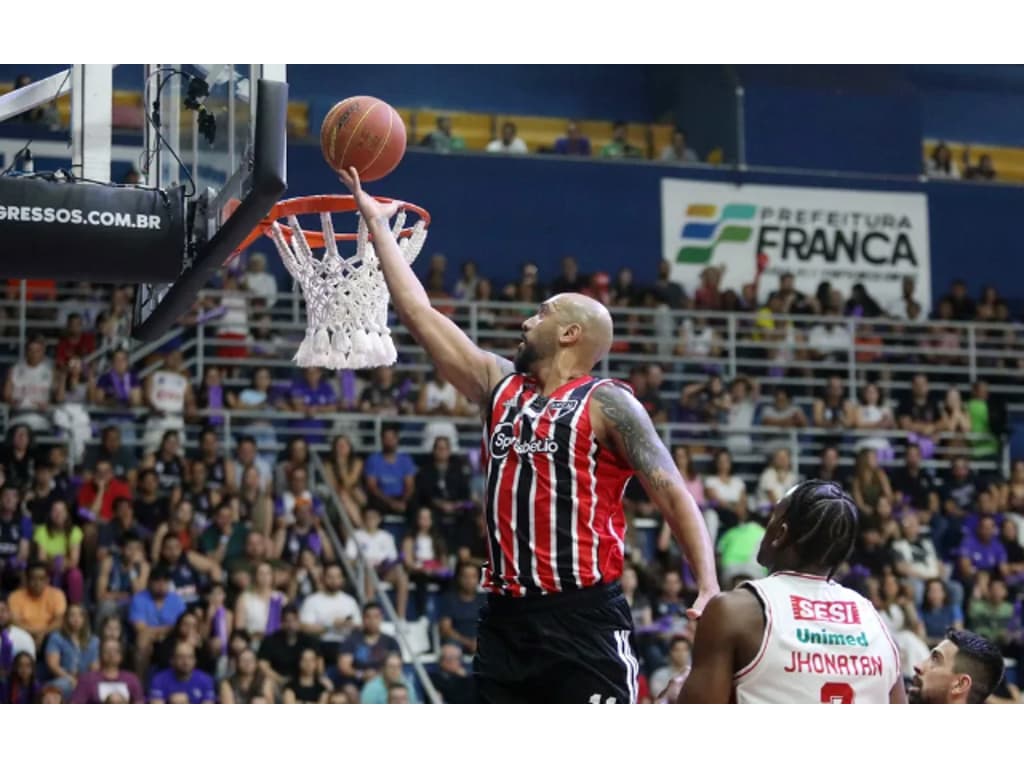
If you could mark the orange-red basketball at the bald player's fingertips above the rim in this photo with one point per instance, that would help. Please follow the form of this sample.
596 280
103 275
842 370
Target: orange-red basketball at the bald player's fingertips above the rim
364 133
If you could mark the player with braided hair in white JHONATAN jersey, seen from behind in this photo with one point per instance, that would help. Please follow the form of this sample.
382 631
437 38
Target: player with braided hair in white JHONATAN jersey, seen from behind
797 636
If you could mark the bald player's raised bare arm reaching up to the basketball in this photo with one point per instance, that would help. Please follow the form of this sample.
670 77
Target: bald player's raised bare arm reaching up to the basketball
472 371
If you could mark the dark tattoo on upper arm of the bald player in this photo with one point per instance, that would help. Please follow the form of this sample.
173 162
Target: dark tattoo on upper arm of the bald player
636 437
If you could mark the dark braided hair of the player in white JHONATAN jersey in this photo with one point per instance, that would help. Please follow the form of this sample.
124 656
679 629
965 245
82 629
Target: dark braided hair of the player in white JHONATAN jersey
823 524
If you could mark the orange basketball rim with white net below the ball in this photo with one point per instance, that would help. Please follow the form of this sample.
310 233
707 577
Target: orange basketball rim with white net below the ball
347 297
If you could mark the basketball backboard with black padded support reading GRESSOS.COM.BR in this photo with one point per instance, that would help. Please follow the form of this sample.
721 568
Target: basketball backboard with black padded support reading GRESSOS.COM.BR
211 144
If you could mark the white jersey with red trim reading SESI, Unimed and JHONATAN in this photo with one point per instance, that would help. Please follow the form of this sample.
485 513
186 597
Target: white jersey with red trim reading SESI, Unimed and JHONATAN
823 644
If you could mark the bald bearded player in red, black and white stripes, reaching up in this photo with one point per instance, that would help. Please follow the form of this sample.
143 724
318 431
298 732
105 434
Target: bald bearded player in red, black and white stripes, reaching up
561 447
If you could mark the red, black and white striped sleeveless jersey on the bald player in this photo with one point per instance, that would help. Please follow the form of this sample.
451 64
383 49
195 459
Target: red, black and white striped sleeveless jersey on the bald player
553 501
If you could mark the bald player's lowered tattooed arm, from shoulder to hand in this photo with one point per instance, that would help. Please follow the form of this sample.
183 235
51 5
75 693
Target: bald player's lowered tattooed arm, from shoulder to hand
621 422
